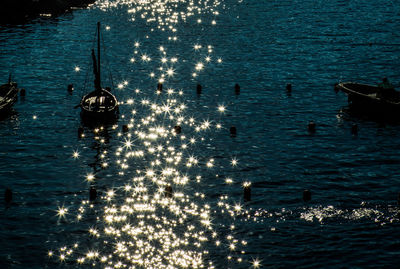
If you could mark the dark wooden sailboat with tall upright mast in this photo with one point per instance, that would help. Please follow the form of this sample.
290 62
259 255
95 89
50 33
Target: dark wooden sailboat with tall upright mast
99 105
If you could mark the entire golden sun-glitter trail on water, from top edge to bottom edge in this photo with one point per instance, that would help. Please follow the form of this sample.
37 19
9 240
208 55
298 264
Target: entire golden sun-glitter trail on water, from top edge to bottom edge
158 217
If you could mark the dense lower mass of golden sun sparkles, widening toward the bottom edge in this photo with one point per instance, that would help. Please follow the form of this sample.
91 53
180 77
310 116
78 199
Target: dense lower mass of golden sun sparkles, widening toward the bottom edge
158 218
